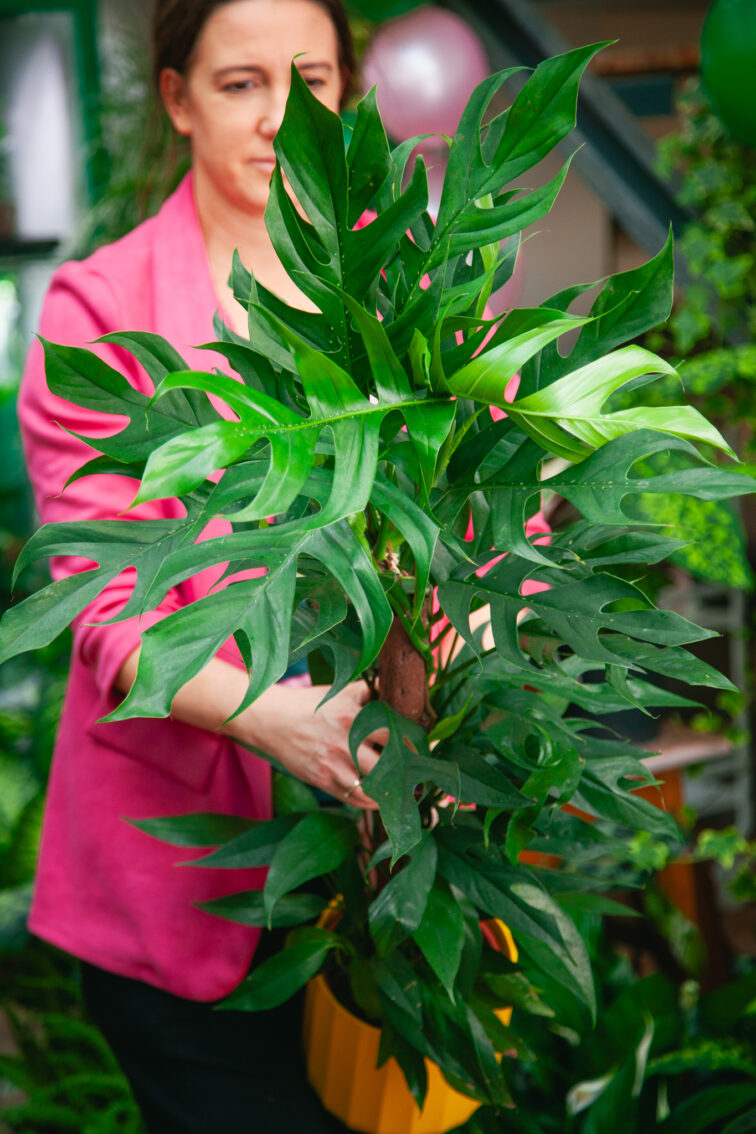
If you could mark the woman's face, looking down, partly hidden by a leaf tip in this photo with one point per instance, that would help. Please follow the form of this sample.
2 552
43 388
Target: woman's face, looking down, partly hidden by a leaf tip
232 101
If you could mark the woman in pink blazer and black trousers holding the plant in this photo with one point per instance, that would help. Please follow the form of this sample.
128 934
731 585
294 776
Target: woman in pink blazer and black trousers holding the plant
155 963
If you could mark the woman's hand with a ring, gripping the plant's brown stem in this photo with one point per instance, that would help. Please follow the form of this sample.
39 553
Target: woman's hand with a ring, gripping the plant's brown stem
312 743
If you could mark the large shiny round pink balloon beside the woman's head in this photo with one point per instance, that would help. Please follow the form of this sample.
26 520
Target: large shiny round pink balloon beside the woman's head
426 66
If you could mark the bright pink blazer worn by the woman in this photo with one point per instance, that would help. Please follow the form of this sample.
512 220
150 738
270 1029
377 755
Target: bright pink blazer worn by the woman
105 891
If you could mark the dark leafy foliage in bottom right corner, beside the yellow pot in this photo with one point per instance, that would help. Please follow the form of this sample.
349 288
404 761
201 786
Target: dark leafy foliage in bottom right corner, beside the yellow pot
665 1059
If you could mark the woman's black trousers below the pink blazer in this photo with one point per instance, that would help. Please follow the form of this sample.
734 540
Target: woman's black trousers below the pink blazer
196 1071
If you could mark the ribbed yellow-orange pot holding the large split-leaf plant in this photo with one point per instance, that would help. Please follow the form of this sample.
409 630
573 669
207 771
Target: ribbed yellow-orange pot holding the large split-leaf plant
342 1054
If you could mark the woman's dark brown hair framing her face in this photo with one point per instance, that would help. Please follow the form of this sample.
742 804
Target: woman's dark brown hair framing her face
177 26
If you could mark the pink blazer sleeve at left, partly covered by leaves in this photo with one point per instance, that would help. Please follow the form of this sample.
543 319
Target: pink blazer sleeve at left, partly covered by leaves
80 308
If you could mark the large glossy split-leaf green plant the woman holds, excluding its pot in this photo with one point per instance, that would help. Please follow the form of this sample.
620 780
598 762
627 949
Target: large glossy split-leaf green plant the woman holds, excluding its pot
366 430
